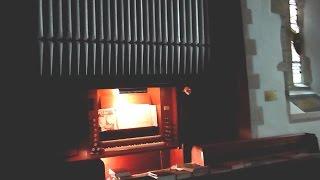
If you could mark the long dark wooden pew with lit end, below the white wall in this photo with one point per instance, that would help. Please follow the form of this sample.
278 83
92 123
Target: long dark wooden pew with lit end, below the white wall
254 150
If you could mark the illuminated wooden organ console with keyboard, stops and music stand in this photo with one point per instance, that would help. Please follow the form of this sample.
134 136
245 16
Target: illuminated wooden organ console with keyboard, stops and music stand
131 121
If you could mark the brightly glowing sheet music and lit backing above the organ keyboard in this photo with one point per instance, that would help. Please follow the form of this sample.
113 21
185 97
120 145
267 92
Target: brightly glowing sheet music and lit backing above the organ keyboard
131 110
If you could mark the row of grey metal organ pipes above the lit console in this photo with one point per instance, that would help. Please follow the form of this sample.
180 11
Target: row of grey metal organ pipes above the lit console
134 37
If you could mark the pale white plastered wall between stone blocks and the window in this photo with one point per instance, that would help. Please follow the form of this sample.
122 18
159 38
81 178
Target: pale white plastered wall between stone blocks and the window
265 29
